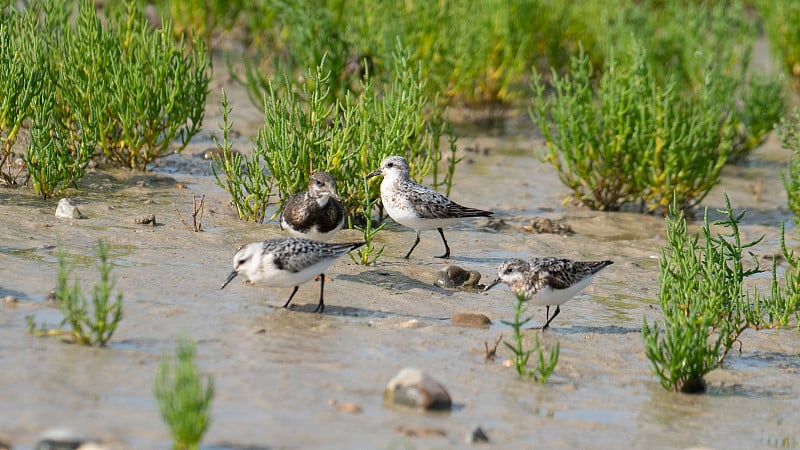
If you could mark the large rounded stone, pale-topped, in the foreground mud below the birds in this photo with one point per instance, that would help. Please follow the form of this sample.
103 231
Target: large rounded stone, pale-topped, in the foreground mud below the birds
413 389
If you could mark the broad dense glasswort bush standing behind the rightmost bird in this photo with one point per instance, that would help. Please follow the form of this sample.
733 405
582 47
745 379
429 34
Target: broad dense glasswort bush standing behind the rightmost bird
600 137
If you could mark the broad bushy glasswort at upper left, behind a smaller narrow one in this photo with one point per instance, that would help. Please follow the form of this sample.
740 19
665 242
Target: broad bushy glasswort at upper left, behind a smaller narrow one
139 88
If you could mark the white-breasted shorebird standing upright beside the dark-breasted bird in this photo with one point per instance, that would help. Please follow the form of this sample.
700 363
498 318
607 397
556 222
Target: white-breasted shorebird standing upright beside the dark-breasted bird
418 207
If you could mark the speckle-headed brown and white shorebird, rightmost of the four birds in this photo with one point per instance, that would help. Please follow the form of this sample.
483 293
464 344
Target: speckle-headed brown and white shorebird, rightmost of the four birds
547 281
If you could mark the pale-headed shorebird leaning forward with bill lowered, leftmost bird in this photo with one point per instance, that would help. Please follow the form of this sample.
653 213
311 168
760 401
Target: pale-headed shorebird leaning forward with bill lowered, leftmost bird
287 262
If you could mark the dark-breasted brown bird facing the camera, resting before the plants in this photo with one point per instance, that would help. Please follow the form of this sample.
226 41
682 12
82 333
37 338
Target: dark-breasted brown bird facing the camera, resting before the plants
314 214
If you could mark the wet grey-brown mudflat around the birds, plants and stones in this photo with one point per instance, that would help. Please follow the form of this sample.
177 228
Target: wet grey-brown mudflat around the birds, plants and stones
277 370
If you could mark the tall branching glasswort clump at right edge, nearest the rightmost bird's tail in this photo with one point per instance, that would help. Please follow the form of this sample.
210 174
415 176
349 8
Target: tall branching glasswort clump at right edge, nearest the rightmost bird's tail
703 301
